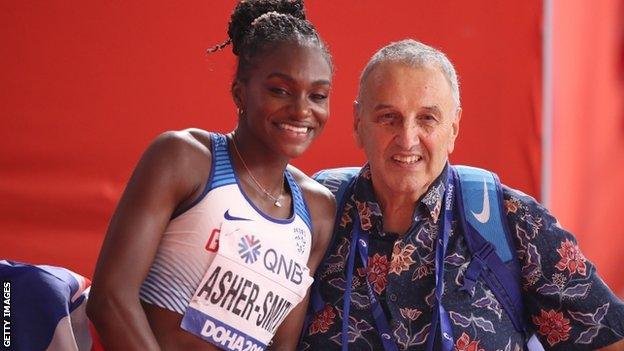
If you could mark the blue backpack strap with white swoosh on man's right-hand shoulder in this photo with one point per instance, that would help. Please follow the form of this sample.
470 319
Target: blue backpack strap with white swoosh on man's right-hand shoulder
487 236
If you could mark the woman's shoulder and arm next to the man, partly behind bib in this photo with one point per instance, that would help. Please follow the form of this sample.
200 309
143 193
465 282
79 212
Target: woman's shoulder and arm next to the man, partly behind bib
322 207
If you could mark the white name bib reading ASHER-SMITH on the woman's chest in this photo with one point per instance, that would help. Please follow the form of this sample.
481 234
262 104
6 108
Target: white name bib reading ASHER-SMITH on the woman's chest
251 285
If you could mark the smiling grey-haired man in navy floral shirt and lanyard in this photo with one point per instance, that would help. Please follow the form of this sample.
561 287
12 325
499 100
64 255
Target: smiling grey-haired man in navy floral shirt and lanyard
400 272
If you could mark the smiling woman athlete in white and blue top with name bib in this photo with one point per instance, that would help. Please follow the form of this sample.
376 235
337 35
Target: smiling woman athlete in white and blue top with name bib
212 222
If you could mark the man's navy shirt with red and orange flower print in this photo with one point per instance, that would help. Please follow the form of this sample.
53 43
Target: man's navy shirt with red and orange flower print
567 305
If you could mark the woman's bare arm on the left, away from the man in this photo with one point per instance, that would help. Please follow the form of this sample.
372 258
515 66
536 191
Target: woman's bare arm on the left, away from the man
166 176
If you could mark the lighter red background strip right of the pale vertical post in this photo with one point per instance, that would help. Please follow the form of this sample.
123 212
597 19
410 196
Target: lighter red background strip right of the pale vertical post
588 129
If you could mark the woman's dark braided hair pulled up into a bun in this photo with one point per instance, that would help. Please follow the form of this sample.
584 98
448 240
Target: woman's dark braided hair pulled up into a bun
257 26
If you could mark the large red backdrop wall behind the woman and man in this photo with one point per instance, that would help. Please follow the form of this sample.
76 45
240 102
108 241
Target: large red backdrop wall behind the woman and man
86 86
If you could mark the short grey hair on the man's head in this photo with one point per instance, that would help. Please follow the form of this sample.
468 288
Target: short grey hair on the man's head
415 54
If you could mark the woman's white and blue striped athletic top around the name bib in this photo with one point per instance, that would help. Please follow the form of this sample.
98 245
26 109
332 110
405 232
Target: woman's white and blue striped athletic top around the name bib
190 241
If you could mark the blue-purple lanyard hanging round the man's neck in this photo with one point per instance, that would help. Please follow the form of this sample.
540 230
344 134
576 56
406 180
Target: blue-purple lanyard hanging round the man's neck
440 319
